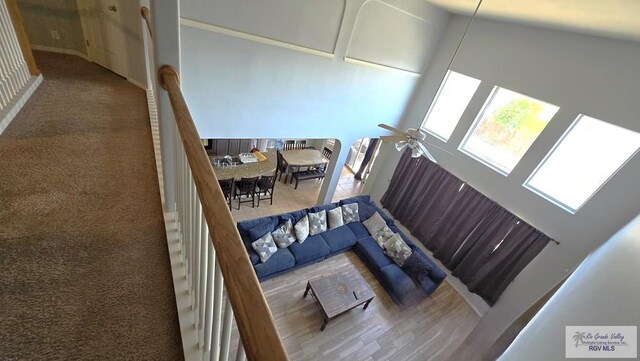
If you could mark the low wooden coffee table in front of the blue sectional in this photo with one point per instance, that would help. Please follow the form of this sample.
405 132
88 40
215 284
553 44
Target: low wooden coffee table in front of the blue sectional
339 292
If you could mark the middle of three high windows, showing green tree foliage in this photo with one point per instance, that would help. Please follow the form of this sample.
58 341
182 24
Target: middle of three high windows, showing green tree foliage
505 128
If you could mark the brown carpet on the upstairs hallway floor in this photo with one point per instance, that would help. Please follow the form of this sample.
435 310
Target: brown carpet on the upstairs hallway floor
84 266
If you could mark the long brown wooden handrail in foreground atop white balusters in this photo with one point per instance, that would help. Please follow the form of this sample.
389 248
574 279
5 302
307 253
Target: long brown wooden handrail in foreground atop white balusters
257 329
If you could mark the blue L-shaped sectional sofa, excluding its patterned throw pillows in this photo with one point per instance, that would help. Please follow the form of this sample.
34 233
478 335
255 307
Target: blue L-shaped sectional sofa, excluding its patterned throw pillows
393 278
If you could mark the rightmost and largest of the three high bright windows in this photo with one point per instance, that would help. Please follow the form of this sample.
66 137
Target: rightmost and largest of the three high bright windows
586 156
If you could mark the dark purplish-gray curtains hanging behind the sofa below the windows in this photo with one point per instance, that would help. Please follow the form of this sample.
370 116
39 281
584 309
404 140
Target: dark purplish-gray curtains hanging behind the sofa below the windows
483 244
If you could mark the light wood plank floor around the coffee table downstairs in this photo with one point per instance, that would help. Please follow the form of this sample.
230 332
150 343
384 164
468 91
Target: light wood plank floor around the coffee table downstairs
430 330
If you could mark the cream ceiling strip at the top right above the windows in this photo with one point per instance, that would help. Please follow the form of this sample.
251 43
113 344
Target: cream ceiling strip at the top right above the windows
611 18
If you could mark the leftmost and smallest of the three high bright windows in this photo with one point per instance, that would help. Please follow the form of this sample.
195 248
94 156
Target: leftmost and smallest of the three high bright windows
452 99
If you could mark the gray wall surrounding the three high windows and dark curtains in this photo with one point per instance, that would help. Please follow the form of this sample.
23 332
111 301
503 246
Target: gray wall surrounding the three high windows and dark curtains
581 74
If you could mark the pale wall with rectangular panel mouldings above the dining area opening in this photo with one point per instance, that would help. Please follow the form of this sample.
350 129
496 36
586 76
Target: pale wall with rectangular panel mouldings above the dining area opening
304 69
